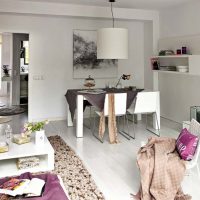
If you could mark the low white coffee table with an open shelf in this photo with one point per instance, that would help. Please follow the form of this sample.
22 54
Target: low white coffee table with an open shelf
8 160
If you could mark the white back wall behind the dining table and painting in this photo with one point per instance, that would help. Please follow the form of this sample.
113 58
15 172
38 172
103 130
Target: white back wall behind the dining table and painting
51 56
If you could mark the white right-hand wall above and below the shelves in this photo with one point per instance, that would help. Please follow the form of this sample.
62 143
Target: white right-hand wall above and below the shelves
179 92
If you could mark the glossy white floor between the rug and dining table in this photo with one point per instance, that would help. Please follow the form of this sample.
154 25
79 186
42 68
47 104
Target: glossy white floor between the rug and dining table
113 167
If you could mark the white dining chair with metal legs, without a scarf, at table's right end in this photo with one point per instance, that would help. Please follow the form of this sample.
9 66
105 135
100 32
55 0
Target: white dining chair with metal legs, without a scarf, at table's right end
146 103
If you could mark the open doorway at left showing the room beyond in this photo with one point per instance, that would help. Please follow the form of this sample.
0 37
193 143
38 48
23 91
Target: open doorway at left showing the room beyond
14 73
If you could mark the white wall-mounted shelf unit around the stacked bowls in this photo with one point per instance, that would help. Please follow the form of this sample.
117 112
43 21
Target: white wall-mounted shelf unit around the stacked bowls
192 61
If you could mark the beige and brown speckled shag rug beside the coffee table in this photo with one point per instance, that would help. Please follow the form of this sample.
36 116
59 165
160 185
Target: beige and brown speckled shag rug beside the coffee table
77 180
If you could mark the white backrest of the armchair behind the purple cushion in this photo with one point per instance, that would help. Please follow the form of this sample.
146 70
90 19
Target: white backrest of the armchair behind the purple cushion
195 129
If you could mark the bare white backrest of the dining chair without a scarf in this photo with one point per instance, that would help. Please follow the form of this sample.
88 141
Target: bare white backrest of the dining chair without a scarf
146 102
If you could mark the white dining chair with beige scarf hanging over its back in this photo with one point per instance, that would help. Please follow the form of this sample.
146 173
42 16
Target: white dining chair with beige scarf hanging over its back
120 100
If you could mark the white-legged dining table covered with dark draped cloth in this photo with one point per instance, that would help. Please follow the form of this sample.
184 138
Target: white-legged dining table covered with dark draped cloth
96 97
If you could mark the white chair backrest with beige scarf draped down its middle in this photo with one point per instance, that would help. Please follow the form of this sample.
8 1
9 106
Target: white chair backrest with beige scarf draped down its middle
120 104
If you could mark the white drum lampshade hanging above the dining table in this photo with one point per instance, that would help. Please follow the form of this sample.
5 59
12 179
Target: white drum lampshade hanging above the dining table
112 43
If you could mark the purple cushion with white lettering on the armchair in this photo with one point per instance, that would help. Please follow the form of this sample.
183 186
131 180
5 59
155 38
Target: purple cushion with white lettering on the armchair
186 144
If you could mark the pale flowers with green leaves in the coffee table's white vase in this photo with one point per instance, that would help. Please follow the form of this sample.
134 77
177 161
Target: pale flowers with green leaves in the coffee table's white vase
32 127
